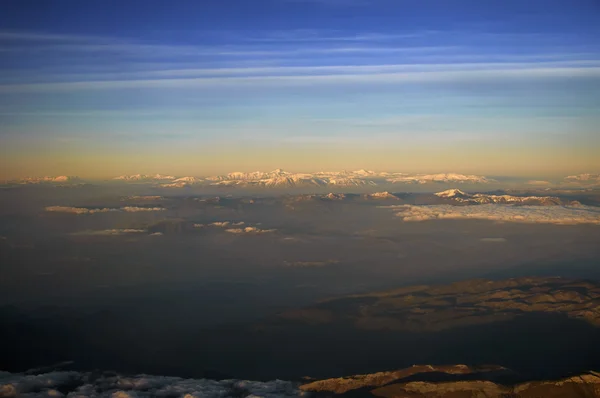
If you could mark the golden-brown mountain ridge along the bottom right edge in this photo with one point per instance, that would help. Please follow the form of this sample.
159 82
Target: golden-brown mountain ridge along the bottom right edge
454 381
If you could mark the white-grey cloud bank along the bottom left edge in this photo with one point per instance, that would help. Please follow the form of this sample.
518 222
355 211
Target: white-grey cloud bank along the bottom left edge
77 384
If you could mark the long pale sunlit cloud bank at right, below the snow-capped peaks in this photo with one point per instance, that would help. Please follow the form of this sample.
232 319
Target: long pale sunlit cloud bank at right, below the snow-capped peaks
562 215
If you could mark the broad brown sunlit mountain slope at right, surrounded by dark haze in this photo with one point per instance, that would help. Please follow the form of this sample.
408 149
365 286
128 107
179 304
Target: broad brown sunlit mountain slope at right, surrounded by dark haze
433 308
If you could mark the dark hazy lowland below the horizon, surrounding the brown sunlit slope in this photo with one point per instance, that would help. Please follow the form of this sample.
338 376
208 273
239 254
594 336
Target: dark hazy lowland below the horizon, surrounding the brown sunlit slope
136 278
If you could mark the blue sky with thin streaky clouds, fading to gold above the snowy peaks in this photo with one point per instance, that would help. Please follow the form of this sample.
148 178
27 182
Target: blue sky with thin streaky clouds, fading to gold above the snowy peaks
103 88
